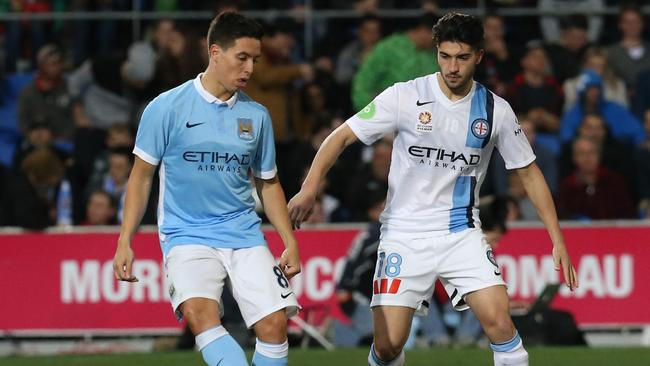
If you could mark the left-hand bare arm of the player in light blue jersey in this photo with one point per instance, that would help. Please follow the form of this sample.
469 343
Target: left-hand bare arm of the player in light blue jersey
137 196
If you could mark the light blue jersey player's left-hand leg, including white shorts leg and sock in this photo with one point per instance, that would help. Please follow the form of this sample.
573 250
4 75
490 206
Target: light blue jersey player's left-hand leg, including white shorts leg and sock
195 274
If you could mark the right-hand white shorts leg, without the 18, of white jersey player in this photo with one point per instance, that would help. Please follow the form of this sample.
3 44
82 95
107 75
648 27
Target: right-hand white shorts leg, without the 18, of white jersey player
467 265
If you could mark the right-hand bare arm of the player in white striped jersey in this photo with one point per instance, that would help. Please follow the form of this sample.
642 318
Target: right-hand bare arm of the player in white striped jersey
541 197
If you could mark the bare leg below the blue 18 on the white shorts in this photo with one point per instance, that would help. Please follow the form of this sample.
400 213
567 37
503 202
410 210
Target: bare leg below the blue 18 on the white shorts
392 325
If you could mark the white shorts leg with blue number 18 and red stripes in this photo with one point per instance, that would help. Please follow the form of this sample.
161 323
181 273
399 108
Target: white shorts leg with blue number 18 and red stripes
404 273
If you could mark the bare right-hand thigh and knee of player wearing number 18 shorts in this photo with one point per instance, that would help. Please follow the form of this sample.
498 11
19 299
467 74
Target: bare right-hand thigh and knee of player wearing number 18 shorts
490 305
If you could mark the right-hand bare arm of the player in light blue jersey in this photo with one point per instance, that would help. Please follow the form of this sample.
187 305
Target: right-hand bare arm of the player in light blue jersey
275 206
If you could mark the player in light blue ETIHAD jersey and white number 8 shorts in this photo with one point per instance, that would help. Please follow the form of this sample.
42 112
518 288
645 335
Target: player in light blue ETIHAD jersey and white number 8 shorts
209 138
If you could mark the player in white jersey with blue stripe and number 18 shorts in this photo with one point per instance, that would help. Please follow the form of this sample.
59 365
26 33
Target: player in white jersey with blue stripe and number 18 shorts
446 126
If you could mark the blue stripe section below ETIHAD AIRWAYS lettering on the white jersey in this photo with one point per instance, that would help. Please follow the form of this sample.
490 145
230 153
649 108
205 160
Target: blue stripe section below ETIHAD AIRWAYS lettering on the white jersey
461 216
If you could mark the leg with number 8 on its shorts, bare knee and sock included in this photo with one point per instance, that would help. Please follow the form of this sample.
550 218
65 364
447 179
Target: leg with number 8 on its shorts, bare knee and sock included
266 301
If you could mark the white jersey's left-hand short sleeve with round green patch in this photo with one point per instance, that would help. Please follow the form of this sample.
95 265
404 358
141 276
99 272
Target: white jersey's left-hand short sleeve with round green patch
377 118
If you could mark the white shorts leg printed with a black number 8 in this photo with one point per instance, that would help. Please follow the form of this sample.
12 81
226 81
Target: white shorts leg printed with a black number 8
259 286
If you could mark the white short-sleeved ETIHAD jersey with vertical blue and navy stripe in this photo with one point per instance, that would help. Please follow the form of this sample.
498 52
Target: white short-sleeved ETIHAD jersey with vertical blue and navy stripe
441 151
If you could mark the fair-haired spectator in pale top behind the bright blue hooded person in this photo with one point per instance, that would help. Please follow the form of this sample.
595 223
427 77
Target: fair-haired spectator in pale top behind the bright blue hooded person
614 88
